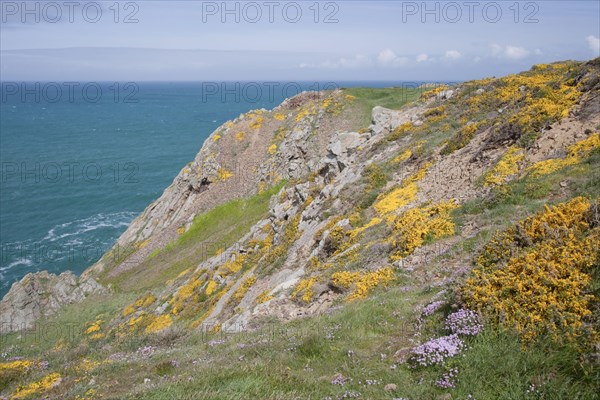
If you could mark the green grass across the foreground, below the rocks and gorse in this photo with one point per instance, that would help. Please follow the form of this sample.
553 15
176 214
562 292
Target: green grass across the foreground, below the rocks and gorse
298 360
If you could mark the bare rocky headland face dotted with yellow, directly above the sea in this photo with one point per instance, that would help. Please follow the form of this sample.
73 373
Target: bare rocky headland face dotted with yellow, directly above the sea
240 158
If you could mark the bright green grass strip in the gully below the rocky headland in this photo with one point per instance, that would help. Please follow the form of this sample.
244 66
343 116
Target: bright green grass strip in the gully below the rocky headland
216 229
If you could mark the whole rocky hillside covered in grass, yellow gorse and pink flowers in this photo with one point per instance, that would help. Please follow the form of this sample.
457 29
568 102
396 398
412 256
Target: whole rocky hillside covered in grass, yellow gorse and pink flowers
357 243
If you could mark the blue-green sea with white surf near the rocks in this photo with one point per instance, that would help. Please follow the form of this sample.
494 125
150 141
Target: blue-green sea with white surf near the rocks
77 166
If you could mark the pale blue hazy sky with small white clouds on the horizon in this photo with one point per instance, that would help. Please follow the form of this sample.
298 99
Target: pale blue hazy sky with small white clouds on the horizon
155 40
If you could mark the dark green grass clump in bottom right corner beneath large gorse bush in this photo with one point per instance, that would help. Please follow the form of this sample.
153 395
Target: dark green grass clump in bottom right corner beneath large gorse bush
497 366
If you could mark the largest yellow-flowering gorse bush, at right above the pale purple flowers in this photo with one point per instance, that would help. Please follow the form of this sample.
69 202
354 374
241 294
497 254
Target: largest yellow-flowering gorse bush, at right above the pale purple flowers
535 276
